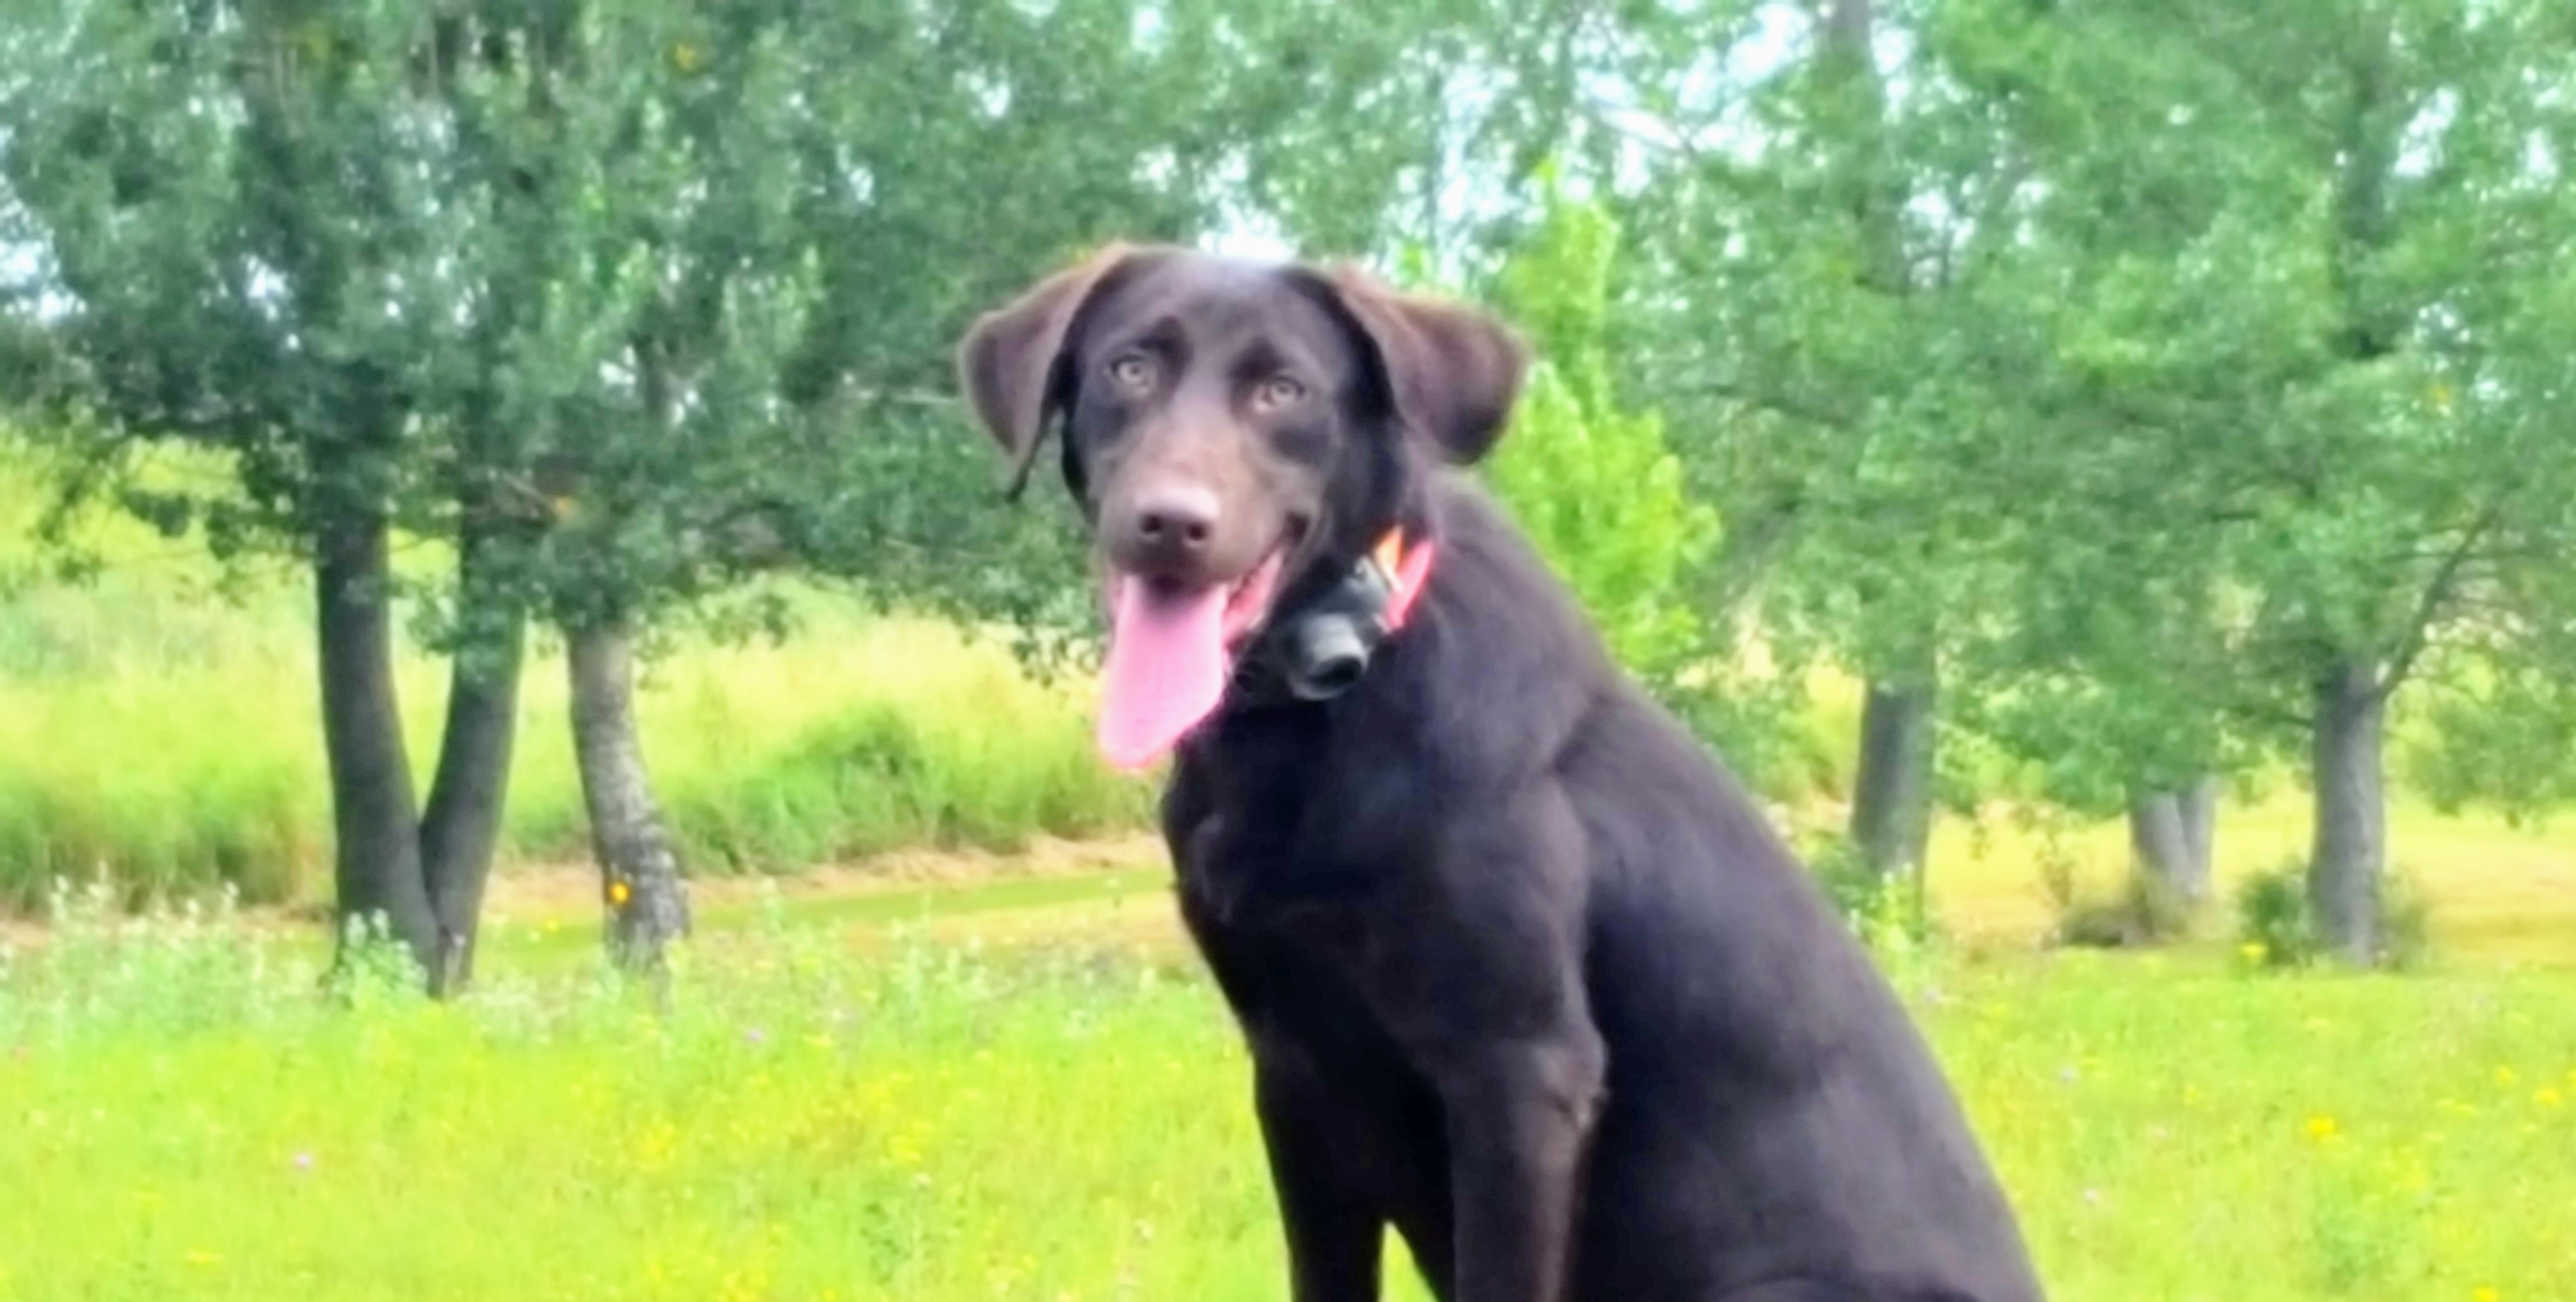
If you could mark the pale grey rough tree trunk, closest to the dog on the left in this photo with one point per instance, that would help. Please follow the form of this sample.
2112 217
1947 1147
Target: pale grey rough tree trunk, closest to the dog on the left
640 873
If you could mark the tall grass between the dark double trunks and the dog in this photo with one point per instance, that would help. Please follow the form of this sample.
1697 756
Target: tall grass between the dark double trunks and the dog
851 739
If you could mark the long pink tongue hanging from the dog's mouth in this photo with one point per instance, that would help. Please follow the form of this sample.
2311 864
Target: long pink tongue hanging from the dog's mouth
1166 674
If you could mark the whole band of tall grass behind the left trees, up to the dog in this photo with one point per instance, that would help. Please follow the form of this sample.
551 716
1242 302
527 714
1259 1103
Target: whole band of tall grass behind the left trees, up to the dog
166 731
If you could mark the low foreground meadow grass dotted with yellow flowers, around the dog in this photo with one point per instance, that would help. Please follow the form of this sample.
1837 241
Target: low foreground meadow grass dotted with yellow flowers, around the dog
939 1120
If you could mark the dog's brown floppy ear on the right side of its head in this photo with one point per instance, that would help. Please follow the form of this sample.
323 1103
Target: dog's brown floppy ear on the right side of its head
1452 370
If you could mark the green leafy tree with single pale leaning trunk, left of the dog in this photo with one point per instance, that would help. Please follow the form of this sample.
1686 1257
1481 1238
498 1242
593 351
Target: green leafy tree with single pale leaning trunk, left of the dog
766 223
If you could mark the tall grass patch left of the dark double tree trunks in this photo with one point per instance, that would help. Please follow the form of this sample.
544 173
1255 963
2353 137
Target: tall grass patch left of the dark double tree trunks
153 731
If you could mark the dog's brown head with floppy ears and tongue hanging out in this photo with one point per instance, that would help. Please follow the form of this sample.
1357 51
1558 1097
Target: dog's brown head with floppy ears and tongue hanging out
1227 429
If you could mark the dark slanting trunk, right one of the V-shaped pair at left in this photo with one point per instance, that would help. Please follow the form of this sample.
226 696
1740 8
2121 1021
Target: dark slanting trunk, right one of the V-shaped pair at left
460 831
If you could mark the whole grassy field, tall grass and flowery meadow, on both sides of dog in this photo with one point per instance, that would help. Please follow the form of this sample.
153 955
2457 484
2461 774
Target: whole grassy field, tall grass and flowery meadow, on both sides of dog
957 1048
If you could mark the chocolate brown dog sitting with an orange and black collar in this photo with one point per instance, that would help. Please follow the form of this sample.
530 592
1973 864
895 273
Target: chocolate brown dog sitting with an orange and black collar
1521 971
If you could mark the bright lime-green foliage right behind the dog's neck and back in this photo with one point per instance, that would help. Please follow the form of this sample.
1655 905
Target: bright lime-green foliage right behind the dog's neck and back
1596 486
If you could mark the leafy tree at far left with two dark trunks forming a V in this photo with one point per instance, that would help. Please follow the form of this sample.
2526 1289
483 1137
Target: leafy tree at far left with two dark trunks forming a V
243 249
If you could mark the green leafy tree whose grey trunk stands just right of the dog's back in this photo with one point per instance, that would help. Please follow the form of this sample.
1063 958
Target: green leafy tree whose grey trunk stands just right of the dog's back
1830 308
